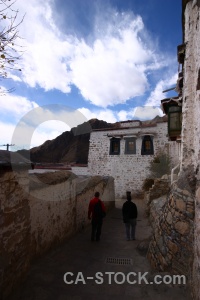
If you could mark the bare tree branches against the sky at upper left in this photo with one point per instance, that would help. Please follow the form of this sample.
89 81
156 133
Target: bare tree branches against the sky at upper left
10 50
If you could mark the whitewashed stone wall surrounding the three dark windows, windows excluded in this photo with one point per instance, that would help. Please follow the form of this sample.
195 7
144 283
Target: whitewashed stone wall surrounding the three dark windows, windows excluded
129 171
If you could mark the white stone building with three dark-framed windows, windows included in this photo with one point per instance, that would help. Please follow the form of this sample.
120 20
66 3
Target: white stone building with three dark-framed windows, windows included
125 151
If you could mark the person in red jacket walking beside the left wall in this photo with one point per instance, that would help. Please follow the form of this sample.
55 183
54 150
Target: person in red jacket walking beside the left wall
96 212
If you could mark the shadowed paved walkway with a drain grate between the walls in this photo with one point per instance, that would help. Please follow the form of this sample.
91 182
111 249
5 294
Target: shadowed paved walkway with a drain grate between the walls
45 279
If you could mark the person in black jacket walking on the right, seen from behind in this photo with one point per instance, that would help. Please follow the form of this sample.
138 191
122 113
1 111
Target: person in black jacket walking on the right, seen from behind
129 213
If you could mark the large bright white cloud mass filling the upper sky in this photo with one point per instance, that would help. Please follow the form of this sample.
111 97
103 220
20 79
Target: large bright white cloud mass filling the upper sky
111 69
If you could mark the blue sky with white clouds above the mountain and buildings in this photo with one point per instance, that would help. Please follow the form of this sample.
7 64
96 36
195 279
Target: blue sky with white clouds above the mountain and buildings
84 59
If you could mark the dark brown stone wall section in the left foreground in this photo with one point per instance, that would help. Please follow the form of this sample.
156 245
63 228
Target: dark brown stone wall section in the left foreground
15 229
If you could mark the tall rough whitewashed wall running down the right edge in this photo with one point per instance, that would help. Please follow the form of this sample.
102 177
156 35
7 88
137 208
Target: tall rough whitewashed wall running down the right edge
190 155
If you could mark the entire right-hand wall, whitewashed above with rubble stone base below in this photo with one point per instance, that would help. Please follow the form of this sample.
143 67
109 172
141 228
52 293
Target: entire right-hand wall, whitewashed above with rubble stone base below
176 241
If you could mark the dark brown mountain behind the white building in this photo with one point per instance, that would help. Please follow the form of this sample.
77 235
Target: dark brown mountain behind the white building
69 147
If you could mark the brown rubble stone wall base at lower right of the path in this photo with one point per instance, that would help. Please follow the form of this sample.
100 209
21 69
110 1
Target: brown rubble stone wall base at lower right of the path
171 246
